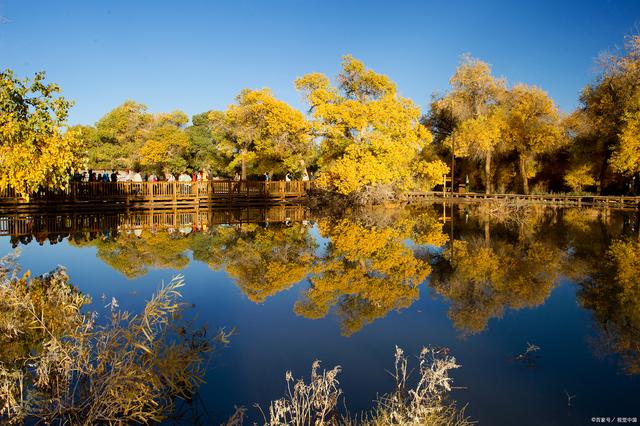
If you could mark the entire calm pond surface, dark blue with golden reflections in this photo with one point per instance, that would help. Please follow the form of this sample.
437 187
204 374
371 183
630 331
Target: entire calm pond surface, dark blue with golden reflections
347 289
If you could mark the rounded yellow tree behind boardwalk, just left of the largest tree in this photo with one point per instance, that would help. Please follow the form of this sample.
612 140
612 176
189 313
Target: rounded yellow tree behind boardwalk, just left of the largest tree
260 130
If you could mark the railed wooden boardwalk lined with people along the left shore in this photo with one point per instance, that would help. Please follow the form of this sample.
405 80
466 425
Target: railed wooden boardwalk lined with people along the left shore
165 193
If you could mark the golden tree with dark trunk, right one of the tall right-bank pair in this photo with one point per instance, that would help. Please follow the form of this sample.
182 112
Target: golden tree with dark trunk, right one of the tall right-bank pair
533 127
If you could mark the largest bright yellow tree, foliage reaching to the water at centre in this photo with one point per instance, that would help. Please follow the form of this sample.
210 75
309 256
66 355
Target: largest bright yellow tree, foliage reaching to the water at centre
369 134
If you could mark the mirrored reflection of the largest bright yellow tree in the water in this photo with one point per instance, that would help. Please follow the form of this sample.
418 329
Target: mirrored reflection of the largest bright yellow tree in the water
368 270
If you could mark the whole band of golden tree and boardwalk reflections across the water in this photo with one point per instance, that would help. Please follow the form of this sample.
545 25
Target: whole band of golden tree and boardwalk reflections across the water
368 263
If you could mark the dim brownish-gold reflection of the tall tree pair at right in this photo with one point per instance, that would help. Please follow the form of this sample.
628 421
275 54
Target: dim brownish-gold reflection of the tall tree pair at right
481 276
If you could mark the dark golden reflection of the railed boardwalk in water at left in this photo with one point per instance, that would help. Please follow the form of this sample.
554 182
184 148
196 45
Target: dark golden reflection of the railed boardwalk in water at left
53 225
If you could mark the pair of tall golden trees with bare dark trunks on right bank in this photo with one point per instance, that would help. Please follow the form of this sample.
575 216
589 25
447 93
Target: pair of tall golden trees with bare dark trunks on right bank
480 118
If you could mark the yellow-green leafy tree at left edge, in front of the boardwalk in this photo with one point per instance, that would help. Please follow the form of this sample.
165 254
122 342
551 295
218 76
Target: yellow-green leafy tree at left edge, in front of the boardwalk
35 151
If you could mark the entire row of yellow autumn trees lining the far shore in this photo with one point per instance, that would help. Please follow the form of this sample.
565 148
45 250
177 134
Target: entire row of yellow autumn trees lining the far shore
361 136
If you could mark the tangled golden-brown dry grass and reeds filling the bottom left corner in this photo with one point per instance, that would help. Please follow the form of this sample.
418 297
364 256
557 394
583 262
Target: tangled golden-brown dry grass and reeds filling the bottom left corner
76 372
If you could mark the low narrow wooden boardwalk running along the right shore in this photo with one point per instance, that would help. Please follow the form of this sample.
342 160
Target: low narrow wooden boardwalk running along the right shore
603 201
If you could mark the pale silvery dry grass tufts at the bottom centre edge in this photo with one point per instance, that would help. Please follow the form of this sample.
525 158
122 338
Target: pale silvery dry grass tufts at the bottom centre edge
425 403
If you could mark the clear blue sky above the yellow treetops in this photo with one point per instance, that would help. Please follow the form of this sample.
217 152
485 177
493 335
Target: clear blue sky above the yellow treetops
197 56
